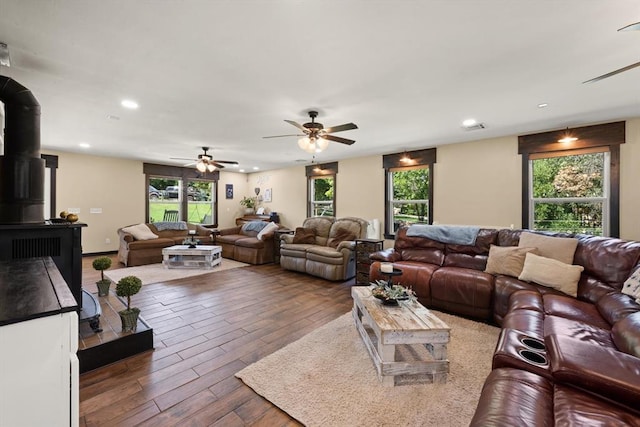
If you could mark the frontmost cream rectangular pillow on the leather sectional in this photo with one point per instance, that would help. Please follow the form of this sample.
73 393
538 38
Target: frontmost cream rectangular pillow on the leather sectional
551 273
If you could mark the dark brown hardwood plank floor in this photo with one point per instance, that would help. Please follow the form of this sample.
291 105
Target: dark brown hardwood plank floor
207 328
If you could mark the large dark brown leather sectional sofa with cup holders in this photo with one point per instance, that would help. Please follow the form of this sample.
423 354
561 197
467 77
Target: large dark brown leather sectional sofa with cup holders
559 360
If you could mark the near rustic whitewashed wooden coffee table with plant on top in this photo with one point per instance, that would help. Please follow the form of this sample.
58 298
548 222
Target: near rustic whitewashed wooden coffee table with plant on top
382 328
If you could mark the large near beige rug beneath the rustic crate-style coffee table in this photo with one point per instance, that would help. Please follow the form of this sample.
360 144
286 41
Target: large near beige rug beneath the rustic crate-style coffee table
327 379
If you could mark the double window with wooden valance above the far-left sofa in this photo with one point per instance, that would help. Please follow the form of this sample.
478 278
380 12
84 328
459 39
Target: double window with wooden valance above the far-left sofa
184 194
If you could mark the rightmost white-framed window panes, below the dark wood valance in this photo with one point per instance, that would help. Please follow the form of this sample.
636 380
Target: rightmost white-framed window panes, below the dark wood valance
570 193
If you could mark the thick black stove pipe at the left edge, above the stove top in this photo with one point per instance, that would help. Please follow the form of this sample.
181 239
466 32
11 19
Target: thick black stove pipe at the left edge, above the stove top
21 168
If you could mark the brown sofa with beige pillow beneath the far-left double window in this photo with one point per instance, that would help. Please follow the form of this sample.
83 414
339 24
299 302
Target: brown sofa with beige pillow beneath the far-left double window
141 244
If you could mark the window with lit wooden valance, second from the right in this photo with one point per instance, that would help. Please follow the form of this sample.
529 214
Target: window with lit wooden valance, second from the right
408 189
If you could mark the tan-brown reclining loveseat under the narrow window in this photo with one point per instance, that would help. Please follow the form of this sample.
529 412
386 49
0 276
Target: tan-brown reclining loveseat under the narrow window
326 249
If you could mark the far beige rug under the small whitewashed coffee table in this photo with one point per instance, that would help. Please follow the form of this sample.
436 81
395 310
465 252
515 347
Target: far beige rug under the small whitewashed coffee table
154 273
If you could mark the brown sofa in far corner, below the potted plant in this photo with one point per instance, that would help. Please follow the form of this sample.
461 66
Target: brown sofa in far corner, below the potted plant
251 242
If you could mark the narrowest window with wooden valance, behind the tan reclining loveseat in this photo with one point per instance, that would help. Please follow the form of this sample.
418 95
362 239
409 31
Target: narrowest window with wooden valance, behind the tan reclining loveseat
321 194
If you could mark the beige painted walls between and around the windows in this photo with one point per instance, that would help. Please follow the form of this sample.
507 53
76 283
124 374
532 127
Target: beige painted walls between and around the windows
476 183
